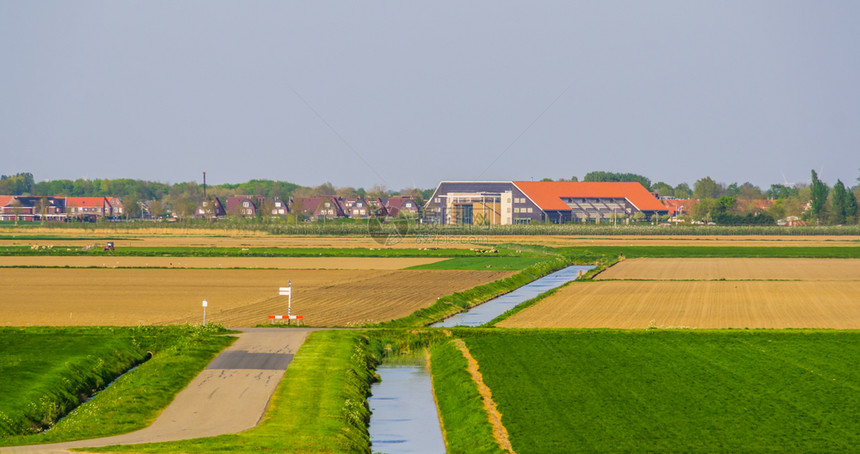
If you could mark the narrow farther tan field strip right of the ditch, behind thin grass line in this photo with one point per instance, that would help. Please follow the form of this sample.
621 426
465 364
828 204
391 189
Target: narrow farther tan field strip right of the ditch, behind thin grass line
734 269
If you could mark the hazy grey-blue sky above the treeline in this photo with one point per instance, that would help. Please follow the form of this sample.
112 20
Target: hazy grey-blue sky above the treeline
411 93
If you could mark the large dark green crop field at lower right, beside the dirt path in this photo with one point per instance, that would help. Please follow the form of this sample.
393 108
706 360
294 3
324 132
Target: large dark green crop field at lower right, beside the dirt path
680 391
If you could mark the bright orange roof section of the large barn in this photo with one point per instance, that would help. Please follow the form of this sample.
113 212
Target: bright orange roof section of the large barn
547 194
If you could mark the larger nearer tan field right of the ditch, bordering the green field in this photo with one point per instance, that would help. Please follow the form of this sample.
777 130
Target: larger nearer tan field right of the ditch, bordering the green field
696 304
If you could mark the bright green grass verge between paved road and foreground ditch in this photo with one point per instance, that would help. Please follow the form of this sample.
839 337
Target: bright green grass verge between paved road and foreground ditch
320 406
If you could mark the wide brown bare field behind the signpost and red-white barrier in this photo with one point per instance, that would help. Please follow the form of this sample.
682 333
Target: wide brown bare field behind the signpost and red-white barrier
237 298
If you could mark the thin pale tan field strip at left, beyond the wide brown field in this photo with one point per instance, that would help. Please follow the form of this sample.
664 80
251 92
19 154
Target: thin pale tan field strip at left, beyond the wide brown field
283 263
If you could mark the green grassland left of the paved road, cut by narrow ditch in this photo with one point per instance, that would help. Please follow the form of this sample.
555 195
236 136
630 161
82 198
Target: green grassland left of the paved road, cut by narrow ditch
57 367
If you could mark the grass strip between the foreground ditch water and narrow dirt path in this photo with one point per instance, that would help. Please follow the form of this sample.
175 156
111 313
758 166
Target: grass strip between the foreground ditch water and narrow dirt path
461 407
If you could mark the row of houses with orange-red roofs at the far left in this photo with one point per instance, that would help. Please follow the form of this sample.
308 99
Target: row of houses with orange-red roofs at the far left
42 208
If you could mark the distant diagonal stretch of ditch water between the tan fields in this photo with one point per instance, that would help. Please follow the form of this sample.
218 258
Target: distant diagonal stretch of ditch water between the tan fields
485 312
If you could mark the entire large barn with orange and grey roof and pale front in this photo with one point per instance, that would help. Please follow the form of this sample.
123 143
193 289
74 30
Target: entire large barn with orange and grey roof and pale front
520 202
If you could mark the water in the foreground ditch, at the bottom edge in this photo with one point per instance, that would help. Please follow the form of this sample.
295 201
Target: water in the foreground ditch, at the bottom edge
404 418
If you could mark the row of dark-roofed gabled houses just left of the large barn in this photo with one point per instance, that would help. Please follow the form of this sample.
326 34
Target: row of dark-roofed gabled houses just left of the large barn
319 208
